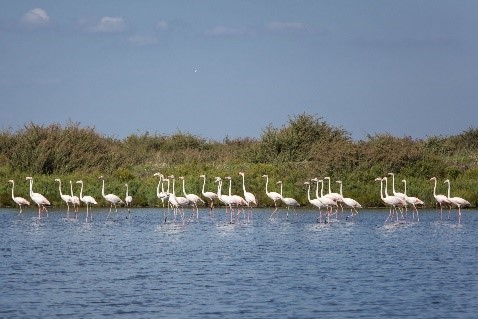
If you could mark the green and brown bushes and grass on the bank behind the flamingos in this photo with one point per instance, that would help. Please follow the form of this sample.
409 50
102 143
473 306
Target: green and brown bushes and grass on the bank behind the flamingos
305 147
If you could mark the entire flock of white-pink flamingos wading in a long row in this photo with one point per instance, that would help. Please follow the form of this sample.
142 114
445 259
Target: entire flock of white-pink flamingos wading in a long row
329 203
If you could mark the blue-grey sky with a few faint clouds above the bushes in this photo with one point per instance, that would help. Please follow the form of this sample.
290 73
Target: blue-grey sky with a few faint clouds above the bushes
218 69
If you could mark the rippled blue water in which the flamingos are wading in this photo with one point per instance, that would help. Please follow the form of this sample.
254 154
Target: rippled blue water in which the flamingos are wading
143 268
